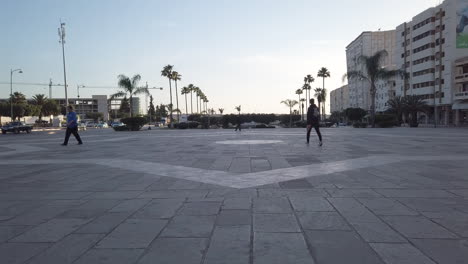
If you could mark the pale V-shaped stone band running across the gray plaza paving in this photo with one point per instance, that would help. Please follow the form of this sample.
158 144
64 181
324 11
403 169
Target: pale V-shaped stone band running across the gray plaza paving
246 180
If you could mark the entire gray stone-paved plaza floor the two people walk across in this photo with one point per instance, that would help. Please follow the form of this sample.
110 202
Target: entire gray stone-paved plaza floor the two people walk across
220 197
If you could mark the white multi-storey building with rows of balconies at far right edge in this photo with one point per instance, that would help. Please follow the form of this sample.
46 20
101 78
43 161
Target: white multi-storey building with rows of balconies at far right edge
433 49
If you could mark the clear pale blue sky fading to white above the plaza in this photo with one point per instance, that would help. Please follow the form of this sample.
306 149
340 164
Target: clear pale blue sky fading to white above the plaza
253 53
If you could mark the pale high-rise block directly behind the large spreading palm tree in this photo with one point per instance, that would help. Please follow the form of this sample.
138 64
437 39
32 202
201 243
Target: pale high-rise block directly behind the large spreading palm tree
367 44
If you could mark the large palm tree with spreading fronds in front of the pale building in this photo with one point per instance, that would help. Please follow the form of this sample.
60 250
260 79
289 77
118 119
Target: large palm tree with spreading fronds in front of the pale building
372 74
